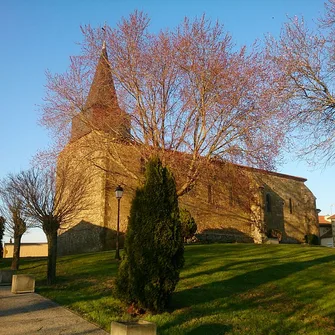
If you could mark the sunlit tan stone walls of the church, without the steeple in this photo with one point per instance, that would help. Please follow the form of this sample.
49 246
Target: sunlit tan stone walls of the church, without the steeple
220 201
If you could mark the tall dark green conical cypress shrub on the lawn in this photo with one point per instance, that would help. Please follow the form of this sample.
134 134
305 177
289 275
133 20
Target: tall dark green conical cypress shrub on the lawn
154 252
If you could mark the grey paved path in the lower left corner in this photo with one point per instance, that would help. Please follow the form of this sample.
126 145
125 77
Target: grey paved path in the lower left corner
30 314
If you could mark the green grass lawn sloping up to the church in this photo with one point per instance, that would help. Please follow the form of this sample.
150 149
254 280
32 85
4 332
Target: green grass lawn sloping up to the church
224 289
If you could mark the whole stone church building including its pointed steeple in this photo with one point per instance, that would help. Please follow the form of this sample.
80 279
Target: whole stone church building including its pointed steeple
230 203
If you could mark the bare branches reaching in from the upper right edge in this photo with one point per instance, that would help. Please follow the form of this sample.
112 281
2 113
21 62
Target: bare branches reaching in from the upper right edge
305 60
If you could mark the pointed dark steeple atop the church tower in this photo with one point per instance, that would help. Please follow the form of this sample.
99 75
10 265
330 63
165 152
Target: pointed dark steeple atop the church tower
101 110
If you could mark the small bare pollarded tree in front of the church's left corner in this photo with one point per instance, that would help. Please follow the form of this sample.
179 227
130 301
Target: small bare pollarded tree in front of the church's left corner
52 198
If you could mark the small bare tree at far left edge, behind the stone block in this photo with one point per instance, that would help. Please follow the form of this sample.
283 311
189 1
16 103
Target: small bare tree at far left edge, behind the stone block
16 222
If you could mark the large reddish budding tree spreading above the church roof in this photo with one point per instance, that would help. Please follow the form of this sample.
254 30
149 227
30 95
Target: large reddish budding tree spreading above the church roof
187 90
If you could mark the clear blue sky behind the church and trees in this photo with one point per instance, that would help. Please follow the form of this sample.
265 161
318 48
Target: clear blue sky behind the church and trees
37 35
